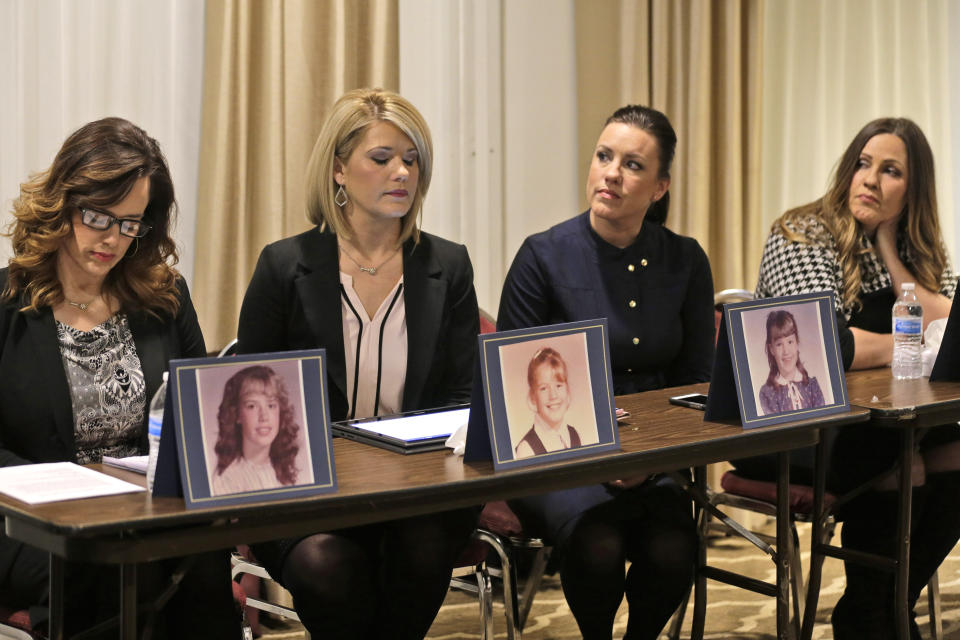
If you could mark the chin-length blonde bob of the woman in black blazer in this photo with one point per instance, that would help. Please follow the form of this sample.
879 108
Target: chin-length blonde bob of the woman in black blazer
347 123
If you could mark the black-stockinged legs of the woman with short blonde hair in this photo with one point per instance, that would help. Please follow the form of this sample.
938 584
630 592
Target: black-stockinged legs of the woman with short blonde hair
386 580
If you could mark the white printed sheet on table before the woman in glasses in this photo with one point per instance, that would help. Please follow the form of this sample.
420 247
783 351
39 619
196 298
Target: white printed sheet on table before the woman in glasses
55 481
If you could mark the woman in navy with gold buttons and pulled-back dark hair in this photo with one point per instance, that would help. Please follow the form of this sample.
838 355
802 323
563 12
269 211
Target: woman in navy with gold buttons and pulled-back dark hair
618 261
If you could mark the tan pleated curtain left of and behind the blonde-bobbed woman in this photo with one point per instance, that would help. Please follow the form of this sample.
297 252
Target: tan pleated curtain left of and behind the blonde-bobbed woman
272 68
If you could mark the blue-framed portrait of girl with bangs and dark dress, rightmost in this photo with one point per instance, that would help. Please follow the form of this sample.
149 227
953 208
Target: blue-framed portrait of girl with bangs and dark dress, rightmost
786 358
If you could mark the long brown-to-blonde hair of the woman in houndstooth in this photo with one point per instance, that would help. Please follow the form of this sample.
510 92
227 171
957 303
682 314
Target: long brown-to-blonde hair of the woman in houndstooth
920 224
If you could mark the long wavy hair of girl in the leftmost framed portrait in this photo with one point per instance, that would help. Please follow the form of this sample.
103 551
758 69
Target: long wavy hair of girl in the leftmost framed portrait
229 447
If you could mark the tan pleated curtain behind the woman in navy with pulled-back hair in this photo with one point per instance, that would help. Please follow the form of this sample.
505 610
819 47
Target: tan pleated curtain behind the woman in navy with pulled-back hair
698 61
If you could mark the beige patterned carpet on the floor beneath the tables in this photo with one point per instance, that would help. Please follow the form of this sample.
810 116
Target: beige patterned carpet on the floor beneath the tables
732 614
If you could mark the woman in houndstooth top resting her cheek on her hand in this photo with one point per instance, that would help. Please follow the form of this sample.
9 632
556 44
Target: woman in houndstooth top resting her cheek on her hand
876 228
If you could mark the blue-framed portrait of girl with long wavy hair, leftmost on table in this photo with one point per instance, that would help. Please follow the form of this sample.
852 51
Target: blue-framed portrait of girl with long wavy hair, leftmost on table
197 390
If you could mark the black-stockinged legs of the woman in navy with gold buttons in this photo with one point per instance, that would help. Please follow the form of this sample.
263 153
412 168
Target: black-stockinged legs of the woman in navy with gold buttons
660 543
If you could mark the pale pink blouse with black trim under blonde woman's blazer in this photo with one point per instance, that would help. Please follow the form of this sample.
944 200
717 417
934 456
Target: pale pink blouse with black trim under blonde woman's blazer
375 350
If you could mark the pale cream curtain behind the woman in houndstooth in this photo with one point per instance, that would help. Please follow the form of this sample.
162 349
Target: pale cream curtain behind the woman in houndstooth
831 67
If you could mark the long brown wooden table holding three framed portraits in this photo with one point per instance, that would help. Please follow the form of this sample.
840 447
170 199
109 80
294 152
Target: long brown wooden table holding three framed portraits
376 485
